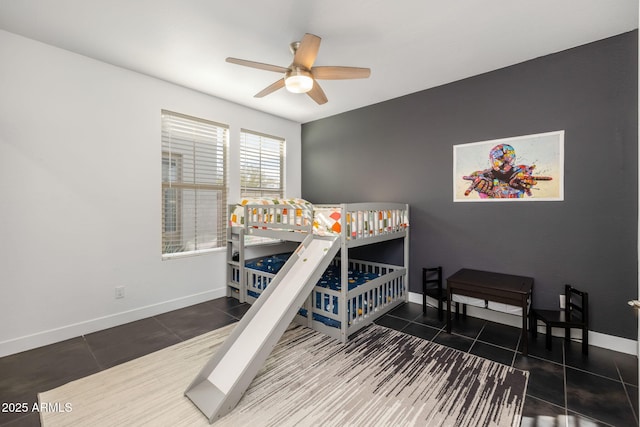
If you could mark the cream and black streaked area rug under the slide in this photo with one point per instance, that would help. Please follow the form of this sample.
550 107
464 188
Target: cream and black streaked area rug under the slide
381 377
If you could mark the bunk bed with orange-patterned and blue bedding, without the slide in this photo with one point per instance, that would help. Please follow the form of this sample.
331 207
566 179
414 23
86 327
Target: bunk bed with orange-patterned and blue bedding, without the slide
351 293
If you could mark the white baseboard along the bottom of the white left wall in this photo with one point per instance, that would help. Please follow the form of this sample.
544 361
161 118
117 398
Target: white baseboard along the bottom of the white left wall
55 335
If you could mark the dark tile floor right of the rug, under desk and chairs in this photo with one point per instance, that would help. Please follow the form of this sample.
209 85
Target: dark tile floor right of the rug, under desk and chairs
565 387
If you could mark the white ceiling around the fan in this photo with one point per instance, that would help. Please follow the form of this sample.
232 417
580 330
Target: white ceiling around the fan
410 45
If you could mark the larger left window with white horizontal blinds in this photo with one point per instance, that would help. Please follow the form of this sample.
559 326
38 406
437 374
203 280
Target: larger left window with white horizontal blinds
194 184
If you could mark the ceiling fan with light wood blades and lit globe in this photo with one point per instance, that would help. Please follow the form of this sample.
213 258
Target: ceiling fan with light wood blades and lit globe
301 75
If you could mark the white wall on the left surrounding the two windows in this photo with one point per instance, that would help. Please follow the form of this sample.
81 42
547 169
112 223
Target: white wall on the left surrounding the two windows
80 210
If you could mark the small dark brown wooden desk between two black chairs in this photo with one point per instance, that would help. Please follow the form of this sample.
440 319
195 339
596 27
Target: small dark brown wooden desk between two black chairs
497 287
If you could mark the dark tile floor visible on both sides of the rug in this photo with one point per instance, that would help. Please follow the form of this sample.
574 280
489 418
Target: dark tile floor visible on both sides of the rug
565 388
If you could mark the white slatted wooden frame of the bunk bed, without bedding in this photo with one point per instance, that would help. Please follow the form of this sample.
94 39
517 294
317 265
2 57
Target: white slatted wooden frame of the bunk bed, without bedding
356 308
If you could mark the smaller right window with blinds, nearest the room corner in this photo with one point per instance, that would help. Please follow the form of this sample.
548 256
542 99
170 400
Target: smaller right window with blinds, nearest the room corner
261 165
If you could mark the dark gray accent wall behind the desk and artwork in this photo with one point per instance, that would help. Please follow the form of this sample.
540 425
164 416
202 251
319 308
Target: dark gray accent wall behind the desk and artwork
402 151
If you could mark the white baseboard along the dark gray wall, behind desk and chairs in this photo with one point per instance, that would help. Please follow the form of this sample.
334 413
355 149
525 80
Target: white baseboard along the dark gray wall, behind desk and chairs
597 339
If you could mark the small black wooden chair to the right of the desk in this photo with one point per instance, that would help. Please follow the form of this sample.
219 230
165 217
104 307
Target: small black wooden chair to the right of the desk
574 315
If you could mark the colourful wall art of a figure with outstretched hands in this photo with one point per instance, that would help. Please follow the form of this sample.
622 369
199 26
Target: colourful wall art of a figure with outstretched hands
521 168
